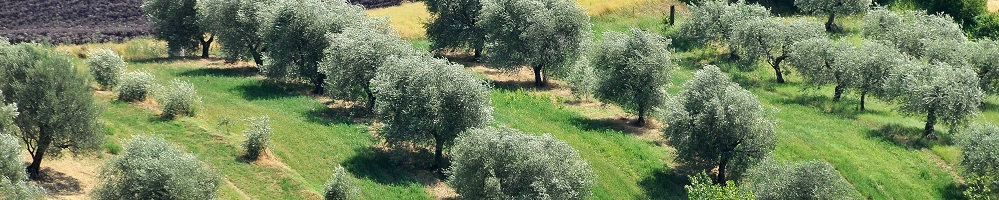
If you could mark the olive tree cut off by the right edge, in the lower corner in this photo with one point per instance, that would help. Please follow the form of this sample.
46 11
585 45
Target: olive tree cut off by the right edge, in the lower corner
980 159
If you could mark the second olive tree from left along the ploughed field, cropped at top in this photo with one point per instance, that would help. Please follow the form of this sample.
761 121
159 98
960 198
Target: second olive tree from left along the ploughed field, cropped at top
237 25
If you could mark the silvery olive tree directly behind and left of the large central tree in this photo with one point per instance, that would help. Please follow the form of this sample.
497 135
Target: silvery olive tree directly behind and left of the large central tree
354 56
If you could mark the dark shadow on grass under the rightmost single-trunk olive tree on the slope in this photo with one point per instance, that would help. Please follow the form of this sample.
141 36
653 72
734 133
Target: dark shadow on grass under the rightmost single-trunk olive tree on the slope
908 137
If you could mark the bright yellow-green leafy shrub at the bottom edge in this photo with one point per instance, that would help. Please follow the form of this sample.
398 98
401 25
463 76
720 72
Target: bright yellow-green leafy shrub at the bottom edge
702 188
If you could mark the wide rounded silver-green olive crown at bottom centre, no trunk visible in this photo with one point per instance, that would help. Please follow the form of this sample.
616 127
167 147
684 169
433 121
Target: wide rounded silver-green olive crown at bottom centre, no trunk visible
503 163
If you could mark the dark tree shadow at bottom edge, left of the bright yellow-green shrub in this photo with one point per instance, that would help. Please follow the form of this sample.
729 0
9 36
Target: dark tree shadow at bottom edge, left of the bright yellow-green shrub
665 184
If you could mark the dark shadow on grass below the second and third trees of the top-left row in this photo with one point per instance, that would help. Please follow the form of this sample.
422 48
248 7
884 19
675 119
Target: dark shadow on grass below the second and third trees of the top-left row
265 90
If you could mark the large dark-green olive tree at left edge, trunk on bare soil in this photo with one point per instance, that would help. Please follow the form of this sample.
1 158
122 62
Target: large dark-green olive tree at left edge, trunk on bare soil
56 105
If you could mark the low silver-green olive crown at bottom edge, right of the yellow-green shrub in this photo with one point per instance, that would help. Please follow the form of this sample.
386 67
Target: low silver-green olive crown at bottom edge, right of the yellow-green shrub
806 180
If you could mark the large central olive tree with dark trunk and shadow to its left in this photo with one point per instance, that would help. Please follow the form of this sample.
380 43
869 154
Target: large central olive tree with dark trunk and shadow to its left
428 101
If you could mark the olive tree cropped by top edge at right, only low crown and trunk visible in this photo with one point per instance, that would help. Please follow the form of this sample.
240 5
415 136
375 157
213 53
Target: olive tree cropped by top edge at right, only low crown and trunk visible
832 8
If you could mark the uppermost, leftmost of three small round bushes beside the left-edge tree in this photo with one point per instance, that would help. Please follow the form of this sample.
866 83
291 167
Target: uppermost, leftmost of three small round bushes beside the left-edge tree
106 66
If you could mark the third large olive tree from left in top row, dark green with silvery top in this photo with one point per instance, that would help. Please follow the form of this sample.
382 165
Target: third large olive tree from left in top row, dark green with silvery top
295 37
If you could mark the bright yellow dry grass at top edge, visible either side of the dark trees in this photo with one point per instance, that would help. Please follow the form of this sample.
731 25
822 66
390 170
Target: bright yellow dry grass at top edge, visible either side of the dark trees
408 18
